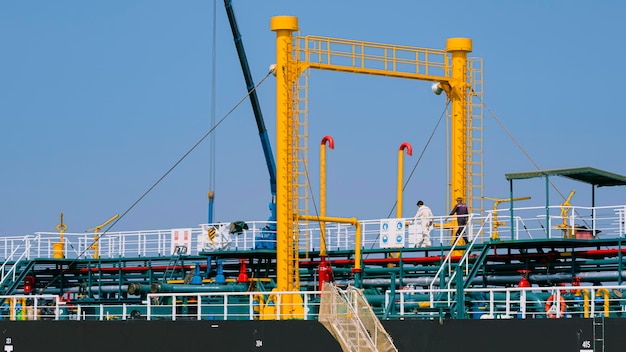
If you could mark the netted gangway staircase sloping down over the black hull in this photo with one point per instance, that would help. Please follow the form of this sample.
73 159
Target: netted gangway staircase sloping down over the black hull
351 321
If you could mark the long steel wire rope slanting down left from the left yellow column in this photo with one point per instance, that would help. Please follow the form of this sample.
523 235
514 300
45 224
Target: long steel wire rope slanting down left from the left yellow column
180 160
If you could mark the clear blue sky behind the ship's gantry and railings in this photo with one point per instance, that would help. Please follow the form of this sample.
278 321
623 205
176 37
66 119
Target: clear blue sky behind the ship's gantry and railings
98 99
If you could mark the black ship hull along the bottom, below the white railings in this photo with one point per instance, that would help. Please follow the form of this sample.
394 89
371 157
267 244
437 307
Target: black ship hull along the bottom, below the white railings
541 335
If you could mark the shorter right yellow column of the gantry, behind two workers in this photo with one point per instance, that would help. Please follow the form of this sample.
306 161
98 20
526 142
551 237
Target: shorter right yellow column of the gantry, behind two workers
458 48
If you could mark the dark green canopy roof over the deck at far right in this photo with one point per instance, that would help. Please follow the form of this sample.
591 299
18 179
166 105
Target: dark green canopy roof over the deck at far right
587 174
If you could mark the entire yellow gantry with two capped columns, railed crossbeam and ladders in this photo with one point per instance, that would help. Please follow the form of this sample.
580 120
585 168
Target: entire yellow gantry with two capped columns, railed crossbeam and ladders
449 69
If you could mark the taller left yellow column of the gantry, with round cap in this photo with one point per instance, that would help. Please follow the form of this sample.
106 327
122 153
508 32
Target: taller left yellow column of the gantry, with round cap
284 26
